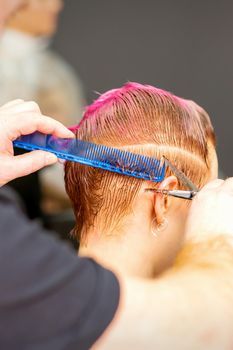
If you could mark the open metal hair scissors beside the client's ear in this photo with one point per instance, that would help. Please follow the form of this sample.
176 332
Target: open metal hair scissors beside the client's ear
190 194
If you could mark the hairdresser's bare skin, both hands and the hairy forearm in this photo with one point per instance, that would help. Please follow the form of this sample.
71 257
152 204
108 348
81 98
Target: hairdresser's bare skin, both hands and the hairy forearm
173 316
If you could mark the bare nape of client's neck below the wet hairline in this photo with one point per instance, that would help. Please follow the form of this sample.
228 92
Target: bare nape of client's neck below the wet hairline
134 253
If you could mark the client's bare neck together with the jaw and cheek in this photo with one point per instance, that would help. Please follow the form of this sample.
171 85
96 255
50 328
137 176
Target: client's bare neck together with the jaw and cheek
132 249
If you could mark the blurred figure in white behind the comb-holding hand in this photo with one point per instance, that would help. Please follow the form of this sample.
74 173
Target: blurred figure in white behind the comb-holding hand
30 70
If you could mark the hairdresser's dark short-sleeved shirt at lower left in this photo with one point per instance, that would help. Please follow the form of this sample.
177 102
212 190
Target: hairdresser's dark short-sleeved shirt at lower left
49 298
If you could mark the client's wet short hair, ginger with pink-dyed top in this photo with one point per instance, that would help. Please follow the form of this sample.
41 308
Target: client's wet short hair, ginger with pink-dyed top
144 120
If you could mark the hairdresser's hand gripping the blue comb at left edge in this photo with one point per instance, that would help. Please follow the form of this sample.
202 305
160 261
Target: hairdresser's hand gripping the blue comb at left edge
21 118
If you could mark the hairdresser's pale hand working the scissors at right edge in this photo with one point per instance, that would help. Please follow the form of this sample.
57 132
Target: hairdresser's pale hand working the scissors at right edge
211 212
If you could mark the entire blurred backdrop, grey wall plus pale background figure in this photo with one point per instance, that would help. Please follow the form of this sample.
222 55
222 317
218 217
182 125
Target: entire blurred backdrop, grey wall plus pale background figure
61 53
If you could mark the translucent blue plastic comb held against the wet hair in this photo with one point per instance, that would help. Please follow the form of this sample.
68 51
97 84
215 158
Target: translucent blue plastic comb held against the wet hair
98 156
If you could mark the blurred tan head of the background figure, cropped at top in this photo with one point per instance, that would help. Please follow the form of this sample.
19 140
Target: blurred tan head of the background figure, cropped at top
37 17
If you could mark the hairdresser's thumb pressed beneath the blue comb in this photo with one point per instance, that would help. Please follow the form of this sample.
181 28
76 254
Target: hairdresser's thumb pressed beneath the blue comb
28 163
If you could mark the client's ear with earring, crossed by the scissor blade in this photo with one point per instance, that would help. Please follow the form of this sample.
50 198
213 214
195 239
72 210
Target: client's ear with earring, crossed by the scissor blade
162 202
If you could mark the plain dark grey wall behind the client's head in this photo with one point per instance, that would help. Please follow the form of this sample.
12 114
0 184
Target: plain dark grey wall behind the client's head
183 46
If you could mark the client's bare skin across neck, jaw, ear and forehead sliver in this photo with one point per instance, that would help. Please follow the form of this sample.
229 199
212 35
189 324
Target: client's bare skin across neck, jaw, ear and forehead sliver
134 250
